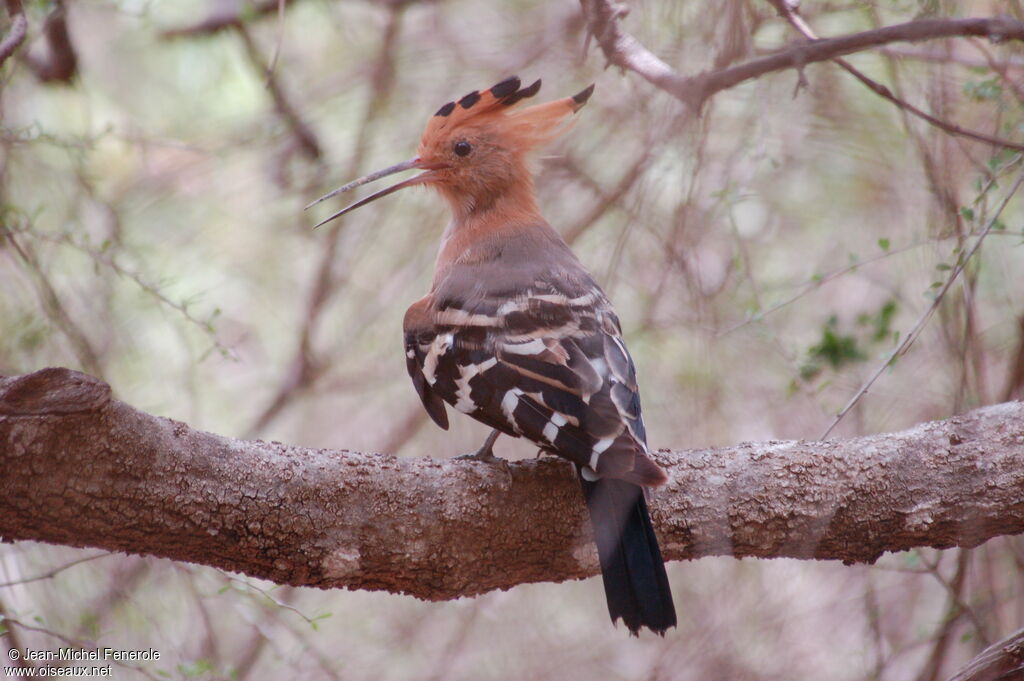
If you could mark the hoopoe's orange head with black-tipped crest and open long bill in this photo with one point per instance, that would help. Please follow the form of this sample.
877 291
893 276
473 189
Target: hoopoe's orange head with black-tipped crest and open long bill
475 151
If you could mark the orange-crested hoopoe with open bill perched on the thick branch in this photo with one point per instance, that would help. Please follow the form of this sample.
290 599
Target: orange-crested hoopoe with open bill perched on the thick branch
516 332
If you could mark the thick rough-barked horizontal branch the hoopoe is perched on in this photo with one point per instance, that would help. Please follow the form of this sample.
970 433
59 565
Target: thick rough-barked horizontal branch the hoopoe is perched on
80 469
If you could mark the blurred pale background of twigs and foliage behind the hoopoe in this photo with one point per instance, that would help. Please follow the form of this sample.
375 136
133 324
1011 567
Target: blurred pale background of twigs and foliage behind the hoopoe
765 258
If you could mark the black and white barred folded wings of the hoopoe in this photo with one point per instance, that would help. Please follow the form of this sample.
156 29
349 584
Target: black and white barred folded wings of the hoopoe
542 365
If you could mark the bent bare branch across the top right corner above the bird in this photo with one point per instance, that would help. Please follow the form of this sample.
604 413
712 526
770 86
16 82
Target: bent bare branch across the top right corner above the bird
624 51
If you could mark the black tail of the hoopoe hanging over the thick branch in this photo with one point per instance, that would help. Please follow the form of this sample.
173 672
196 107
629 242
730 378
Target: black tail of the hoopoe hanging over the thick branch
635 582
